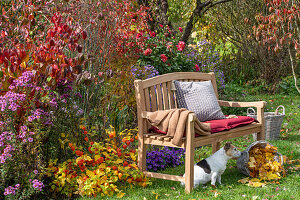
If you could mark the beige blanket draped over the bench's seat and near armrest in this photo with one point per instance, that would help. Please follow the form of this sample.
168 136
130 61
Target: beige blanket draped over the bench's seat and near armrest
173 122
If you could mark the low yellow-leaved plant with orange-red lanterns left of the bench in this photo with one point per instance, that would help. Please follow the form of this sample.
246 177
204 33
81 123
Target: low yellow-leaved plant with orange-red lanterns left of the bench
97 170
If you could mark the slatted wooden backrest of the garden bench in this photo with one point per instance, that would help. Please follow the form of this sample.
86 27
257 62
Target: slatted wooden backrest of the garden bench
156 93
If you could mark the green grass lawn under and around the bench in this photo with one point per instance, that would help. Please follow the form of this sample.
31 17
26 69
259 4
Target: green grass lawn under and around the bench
231 189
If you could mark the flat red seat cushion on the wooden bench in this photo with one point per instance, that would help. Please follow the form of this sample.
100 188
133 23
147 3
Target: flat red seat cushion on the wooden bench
227 124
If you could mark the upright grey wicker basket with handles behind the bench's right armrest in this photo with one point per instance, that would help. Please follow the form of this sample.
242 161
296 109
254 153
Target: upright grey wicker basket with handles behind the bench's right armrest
273 122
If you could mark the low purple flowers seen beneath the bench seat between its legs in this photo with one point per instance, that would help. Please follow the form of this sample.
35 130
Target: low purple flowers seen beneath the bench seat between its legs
166 157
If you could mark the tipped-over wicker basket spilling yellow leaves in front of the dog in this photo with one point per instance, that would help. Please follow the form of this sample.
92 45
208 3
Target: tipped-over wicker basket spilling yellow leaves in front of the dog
242 162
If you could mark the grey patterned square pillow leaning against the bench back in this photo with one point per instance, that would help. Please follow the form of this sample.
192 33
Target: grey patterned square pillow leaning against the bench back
200 98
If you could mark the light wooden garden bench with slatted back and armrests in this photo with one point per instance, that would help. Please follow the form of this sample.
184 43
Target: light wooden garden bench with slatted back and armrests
156 94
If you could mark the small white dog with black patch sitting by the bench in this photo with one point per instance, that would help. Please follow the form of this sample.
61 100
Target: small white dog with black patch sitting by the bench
211 168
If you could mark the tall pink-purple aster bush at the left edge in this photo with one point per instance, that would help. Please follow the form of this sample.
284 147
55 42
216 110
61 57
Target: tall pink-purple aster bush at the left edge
23 125
